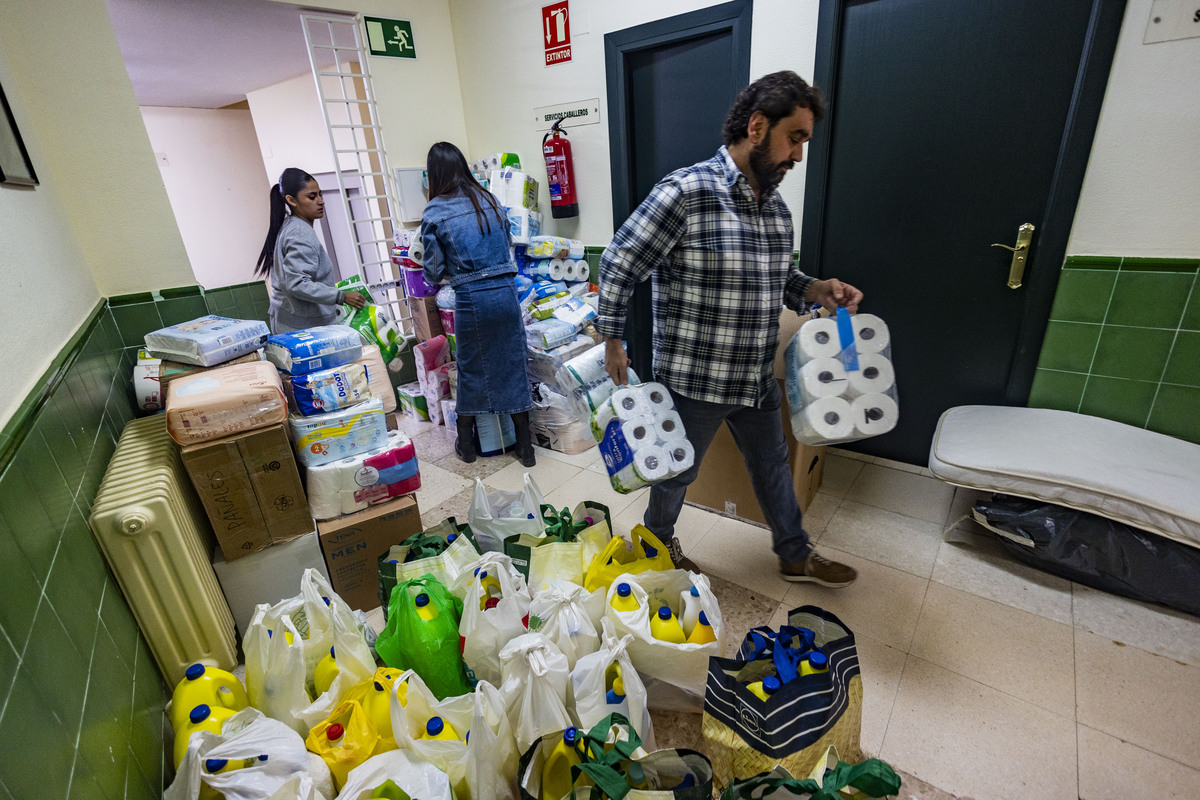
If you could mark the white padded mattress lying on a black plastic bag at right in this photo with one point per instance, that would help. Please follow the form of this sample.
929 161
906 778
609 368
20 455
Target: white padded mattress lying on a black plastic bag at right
1143 479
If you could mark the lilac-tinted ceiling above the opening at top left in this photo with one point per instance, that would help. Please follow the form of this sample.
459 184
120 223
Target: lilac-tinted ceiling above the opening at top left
207 53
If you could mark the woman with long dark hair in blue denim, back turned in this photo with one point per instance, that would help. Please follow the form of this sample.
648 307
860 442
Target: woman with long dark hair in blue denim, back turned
467 244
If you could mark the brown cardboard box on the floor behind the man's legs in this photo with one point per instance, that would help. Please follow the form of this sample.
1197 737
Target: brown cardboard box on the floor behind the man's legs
724 484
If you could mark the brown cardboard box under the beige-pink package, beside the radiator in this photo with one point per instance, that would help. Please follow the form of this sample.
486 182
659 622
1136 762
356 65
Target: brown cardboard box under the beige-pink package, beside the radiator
251 490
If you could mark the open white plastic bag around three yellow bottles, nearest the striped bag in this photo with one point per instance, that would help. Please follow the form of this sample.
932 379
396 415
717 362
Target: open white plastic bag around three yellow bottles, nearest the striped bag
675 675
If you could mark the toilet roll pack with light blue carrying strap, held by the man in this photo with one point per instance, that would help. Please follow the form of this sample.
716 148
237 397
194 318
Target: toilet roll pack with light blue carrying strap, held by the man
841 381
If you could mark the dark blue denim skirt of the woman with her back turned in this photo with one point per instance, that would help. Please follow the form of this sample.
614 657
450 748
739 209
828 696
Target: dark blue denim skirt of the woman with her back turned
491 345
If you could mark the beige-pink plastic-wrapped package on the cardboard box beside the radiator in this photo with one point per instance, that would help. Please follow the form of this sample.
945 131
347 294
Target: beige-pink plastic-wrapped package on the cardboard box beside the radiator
224 402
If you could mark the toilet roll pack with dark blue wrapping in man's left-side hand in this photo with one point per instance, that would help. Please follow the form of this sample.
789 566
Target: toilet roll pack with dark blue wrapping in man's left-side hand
643 440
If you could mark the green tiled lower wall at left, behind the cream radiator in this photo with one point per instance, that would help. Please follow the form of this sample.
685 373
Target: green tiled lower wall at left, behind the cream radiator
81 697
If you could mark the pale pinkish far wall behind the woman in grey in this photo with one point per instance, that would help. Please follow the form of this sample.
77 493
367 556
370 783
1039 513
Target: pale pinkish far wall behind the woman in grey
211 165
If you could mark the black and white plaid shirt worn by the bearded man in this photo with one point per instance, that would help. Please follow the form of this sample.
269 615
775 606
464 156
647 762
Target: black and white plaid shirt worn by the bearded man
722 269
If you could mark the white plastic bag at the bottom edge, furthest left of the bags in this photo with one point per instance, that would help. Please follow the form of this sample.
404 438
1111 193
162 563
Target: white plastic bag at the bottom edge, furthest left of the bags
249 735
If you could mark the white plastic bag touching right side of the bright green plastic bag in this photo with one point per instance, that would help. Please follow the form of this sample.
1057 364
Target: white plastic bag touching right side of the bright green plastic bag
484 633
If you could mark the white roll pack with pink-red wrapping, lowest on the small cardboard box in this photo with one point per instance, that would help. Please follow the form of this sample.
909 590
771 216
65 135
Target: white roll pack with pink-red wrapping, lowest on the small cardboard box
352 484
